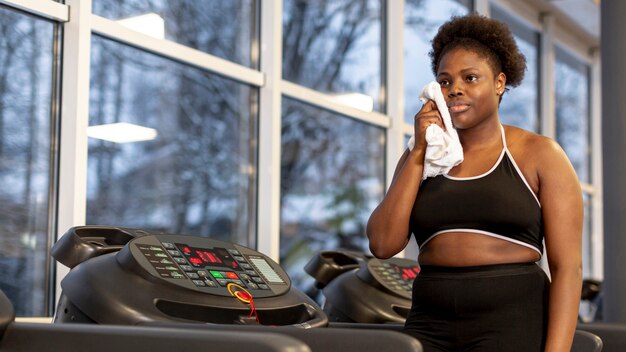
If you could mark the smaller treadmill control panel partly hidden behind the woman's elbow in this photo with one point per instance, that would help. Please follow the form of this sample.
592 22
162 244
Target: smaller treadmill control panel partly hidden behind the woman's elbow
395 274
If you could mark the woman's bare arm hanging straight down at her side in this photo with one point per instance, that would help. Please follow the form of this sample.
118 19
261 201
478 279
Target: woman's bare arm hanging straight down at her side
561 200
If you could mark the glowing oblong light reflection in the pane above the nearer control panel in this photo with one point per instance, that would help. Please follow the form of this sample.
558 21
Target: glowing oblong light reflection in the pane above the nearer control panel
121 132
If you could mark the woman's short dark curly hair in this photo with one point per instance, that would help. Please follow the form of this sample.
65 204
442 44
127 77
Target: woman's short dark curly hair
485 36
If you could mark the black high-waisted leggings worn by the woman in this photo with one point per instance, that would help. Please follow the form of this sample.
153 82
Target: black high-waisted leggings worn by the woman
501 307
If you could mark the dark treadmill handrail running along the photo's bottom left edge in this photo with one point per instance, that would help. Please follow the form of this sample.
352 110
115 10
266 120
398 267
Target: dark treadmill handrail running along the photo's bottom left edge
32 337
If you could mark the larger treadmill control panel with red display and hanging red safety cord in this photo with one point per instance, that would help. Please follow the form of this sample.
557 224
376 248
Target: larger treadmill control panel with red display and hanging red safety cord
206 265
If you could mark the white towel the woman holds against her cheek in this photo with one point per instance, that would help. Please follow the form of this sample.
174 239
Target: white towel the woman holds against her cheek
444 150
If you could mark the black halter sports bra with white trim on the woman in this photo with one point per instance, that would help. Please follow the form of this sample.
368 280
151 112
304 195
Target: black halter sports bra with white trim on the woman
498 203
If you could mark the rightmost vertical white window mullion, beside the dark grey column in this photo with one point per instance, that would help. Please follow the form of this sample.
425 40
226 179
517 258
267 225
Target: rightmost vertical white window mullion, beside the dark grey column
597 210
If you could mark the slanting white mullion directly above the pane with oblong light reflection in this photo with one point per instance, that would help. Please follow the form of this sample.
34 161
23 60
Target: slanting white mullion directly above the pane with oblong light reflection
113 30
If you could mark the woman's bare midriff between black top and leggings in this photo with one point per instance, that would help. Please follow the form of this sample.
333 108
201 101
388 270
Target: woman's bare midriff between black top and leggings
471 249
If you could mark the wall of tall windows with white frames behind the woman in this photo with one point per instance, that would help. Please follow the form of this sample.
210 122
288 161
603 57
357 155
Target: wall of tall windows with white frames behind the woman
177 124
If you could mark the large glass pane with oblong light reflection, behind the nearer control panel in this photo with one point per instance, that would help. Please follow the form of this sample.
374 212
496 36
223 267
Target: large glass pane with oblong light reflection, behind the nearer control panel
186 162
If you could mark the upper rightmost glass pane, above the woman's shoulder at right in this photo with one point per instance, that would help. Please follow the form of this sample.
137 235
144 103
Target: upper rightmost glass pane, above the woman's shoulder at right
572 111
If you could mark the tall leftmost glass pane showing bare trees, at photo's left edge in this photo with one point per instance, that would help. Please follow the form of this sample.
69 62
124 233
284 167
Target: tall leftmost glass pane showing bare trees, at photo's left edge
26 53
